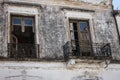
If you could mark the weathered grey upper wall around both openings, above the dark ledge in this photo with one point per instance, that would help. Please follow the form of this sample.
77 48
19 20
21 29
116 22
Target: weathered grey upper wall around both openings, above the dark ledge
53 24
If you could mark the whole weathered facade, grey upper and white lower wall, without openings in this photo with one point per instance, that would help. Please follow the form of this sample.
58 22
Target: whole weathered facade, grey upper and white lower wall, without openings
52 33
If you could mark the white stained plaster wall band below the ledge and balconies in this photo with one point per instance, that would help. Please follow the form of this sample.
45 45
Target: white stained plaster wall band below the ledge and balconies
58 71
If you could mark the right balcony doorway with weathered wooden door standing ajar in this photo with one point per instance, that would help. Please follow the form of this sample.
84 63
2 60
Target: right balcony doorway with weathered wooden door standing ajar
80 38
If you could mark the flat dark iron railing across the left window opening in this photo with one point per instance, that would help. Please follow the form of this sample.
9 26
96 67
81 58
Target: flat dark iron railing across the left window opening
23 50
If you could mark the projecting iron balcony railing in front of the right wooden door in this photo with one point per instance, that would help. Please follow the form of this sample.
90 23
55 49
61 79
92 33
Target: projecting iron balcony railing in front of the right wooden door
95 51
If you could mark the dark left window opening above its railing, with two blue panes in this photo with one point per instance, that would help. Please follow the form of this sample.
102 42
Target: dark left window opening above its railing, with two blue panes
23 29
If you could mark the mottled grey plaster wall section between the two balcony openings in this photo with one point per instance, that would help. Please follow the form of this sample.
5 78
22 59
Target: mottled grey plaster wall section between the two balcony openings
53 32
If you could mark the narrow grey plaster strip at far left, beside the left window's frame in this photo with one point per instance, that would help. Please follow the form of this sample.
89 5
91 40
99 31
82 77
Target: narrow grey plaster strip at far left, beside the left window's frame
3 38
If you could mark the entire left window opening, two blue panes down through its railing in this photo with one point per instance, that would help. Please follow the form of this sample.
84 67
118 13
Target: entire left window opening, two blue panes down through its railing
22 37
